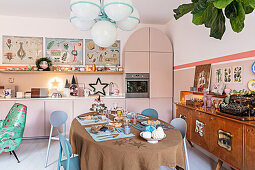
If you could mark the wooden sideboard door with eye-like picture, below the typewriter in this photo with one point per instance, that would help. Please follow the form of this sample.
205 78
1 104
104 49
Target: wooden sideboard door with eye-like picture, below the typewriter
227 141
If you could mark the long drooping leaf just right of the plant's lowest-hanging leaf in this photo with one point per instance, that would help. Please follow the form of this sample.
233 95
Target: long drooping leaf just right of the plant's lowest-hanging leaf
237 23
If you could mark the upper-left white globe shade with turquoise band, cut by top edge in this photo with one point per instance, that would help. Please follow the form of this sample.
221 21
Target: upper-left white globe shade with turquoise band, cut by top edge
88 9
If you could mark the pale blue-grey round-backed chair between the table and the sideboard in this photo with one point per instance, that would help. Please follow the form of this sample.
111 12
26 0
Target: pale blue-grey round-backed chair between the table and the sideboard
181 125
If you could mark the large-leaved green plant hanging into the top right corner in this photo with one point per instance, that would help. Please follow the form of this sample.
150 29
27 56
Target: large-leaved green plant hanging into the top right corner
214 13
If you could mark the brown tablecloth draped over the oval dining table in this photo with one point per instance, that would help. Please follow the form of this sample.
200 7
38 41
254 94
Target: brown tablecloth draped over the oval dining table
132 153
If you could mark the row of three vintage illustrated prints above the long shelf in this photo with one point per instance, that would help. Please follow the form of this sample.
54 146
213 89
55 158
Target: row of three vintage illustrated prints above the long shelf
61 51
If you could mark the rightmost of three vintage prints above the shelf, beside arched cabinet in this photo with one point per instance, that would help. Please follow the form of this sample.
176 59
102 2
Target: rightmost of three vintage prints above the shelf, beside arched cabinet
102 56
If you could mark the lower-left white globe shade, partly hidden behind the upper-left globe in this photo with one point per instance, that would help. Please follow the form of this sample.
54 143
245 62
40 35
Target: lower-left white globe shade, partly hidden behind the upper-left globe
81 24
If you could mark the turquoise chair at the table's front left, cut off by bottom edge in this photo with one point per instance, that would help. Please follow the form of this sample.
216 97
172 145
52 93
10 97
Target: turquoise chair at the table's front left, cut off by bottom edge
72 162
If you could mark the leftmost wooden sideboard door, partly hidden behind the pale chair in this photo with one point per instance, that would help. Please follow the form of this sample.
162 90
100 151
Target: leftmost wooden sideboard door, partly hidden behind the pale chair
183 112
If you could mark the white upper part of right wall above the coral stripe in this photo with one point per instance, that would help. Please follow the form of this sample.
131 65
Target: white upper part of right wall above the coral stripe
192 43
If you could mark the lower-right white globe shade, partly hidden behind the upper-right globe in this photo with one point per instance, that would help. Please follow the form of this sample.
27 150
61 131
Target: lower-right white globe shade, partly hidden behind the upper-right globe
131 22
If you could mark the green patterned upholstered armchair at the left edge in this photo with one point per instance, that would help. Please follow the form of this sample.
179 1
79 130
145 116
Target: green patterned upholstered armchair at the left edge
12 129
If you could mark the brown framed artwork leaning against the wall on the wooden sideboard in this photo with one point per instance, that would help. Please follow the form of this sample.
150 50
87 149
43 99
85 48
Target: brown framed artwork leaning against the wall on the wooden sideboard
202 76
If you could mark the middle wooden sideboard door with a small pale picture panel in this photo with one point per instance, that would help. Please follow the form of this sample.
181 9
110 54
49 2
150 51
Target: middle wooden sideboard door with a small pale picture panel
200 129
